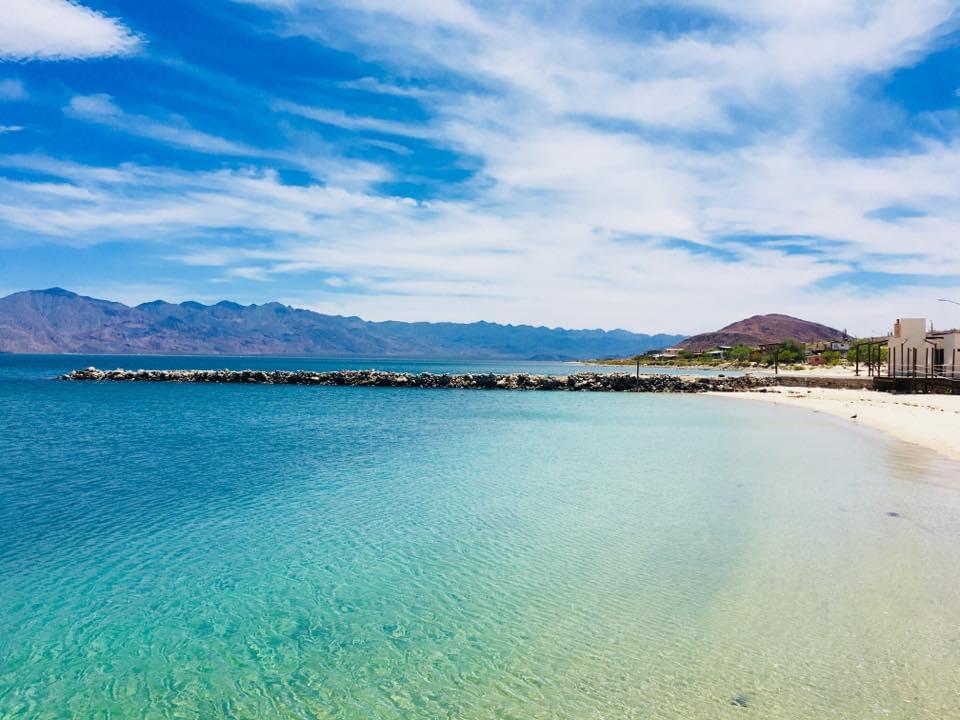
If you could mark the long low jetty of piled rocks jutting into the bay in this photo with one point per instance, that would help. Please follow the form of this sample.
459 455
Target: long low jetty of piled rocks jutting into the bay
577 382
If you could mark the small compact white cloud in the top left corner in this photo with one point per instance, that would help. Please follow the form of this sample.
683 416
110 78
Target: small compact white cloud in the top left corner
60 30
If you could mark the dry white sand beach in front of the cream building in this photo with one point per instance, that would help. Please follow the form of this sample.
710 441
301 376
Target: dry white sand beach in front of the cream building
932 421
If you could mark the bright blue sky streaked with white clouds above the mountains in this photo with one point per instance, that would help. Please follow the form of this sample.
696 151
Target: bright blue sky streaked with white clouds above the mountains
654 166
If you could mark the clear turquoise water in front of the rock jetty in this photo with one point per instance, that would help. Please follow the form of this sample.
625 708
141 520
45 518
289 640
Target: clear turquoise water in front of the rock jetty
300 552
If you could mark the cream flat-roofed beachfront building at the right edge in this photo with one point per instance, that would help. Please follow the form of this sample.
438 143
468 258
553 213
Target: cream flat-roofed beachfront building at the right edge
914 350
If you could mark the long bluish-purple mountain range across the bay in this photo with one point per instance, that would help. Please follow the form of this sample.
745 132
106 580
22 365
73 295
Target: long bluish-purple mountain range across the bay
59 321
